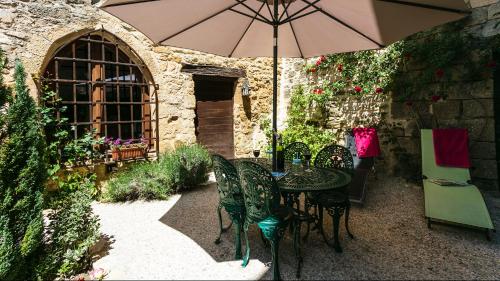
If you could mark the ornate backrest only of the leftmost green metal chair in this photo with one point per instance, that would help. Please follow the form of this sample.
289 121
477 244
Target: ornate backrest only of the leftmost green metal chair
228 182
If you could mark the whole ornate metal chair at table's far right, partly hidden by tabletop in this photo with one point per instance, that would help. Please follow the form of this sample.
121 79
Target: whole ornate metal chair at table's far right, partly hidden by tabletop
335 202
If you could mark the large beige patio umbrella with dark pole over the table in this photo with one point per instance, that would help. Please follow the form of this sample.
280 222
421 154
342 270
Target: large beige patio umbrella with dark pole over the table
306 28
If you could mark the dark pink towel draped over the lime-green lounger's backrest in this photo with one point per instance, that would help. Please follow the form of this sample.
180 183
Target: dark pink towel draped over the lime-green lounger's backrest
451 147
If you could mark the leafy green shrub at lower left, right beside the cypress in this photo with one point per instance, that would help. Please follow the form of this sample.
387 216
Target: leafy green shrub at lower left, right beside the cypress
72 231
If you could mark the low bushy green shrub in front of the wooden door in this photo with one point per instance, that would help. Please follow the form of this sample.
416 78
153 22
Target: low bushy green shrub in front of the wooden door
182 169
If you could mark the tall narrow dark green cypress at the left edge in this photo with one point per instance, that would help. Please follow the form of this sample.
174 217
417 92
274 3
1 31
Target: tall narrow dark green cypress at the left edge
22 177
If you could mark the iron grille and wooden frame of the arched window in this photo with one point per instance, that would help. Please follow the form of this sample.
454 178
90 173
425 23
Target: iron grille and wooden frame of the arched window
97 82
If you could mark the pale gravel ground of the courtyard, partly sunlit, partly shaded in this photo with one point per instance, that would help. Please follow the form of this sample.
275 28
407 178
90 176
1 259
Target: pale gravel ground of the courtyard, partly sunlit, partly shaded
392 241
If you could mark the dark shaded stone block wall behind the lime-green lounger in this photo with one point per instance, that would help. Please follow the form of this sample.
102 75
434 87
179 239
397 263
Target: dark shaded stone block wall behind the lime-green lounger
461 94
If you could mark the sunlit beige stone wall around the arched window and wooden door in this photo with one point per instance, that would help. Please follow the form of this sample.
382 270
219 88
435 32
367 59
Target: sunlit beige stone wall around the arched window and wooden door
31 30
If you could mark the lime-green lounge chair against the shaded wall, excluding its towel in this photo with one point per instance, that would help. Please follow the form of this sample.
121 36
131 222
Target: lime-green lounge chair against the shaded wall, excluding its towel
460 203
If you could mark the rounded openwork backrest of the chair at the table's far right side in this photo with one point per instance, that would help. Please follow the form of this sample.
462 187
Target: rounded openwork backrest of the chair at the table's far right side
335 157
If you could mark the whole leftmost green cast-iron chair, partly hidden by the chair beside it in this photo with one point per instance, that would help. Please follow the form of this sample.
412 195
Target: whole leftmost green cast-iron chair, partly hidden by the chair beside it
230 198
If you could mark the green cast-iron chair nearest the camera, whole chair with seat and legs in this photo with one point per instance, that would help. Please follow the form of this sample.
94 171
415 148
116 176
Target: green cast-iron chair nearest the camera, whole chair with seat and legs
262 202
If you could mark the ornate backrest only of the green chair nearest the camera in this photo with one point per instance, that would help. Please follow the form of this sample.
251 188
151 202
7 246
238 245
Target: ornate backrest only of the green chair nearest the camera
260 191
